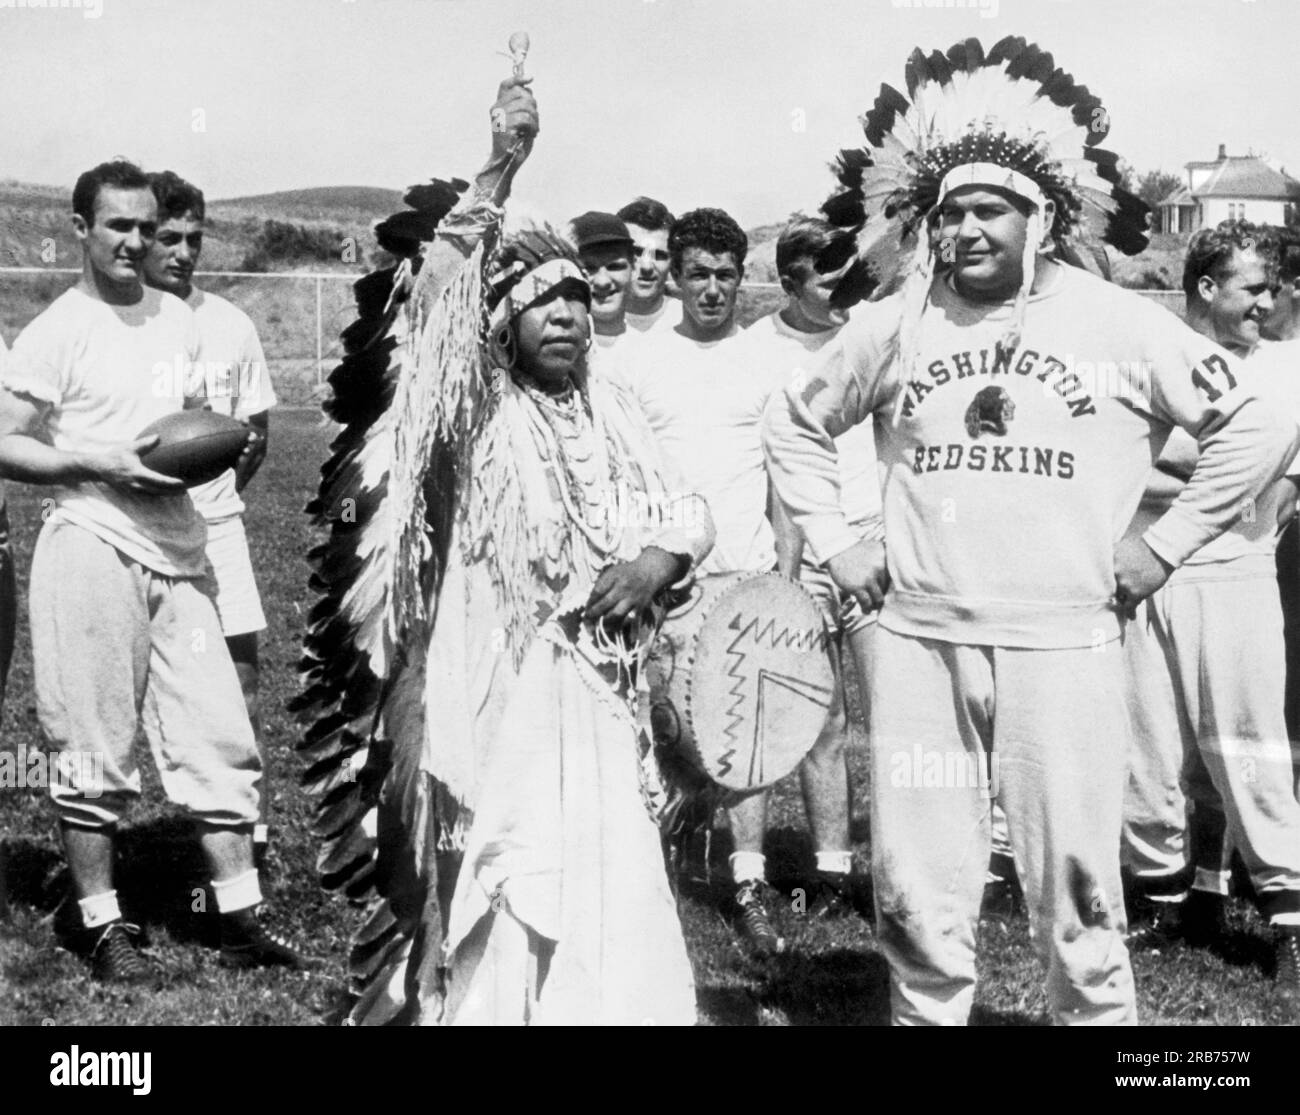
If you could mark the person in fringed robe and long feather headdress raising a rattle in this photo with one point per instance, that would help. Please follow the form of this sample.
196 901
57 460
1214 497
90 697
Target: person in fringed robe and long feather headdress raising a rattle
501 528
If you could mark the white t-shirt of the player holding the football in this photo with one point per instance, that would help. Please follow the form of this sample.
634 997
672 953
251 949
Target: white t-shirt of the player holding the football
107 372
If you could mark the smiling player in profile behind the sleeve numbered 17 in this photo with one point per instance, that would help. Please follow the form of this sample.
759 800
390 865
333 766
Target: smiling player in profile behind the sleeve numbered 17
1207 662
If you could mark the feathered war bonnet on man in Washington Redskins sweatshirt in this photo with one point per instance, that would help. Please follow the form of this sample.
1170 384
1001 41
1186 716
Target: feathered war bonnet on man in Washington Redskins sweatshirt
1009 120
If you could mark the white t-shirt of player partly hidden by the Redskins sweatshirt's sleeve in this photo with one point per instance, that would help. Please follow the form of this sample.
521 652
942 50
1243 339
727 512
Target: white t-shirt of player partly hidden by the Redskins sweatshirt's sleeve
777 349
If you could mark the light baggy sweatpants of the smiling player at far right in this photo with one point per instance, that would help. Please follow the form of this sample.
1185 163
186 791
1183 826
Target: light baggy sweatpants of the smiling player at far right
1207 670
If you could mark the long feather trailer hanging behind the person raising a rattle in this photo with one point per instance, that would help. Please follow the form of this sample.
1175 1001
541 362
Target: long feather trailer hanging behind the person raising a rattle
365 787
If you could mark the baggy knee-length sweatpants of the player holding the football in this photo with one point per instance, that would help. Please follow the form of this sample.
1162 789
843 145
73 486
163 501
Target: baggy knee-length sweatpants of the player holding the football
116 648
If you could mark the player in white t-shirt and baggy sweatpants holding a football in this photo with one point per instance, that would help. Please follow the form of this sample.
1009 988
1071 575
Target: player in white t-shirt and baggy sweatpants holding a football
124 631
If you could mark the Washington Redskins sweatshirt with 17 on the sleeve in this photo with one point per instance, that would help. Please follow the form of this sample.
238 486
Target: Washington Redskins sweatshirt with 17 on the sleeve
1012 475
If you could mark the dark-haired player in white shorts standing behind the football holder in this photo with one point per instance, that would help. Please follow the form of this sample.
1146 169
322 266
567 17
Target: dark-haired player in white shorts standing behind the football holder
237 384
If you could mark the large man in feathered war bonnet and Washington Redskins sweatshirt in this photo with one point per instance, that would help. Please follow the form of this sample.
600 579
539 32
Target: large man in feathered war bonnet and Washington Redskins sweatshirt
1019 405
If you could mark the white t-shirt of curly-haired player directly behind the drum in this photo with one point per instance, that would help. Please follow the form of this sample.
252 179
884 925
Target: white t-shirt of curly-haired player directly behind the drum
705 406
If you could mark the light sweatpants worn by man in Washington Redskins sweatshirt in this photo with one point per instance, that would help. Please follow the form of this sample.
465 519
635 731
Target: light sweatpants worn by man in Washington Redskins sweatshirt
1043 732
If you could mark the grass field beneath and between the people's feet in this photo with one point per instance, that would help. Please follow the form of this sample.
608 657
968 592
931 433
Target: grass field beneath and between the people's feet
833 975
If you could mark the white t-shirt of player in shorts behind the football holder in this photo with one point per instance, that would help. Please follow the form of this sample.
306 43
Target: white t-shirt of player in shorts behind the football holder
237 384
